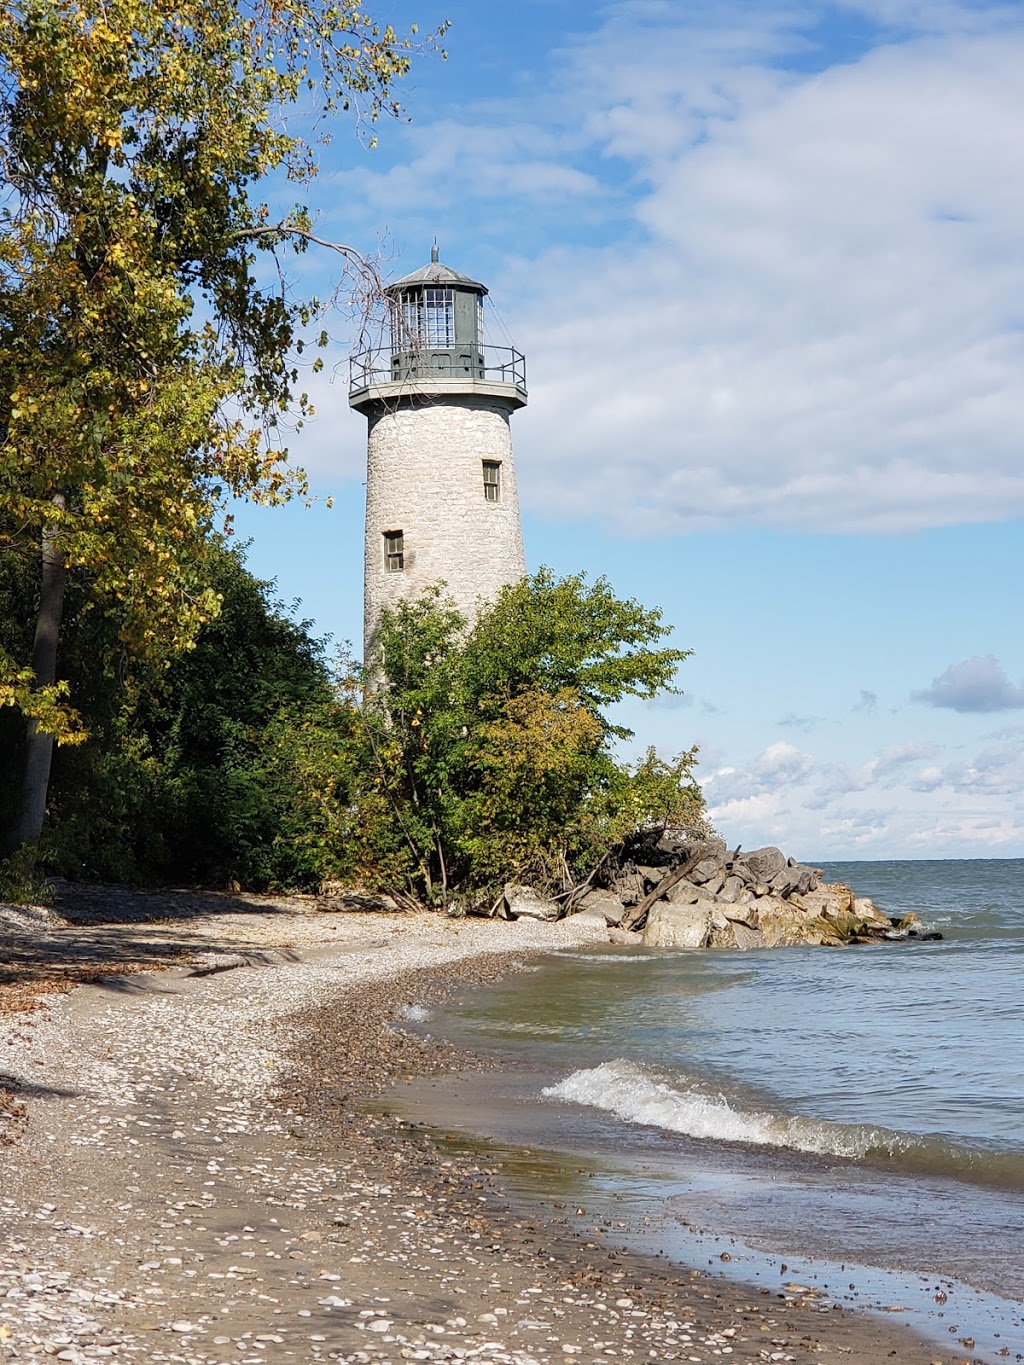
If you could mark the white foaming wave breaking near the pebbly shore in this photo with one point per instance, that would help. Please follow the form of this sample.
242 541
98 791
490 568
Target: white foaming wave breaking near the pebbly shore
637 1095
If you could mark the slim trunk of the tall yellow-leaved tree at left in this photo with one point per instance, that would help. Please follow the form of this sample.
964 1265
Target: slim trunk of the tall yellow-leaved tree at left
39 749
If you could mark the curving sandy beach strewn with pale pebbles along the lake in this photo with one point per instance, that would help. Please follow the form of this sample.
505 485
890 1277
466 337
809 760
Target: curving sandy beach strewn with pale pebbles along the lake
201 1175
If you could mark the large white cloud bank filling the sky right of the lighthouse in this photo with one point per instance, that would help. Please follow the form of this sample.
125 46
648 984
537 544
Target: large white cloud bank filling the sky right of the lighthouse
824 327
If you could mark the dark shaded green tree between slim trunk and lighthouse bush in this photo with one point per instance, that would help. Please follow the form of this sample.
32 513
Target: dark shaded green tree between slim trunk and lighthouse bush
173 786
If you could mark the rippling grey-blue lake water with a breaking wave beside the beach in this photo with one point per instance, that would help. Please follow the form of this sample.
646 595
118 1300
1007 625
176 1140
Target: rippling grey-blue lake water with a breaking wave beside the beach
858 1112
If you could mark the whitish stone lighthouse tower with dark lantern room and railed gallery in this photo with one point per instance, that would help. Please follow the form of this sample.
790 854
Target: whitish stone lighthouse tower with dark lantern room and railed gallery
442 503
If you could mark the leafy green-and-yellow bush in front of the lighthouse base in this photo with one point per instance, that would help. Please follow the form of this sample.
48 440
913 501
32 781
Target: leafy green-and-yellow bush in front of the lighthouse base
488 751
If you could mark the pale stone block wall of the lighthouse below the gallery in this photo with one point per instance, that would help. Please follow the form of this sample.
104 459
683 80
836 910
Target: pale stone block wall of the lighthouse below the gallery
425 478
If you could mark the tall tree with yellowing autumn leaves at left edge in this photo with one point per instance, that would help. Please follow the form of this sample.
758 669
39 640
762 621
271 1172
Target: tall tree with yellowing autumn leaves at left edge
145 371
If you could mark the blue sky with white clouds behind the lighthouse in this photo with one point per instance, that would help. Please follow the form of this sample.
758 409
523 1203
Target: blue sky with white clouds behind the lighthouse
767 264
